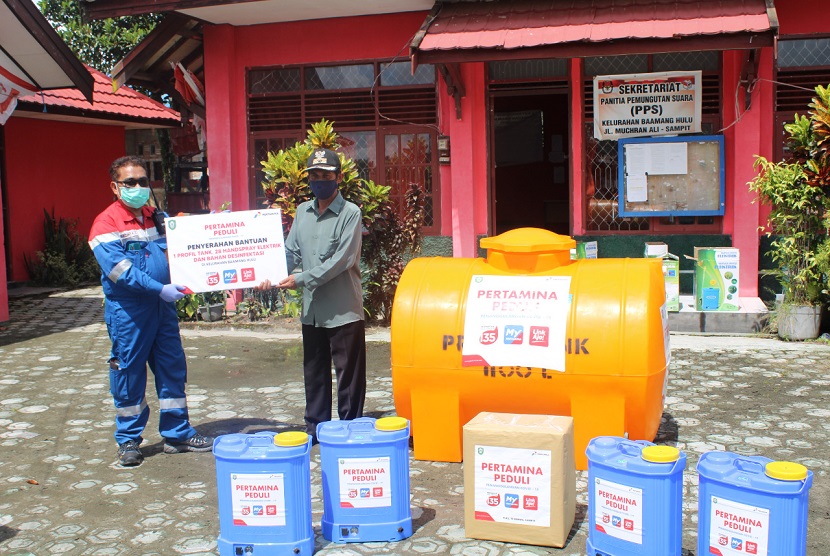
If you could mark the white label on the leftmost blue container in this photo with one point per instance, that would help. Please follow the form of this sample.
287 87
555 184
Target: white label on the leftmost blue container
258 499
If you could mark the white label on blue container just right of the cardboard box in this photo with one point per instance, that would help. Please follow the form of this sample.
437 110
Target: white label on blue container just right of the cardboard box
618 510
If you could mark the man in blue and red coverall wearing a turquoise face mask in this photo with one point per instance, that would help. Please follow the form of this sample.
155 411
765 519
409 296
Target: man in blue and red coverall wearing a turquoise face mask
141 317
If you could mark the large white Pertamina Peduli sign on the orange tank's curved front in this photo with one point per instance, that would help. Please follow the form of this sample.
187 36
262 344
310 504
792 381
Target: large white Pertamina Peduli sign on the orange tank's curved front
516 321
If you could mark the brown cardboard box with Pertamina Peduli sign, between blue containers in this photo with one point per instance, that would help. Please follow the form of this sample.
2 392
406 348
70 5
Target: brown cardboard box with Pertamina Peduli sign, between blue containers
519 478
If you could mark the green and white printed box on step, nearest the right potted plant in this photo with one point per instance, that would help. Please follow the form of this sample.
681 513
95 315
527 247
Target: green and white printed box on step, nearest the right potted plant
716 283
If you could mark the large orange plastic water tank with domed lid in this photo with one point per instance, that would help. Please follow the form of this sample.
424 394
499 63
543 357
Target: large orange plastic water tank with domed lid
616 347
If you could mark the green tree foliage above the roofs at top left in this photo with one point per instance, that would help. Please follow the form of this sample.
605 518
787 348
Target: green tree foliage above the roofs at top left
100 43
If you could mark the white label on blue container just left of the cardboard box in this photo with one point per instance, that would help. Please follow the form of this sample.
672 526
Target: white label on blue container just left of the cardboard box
365 482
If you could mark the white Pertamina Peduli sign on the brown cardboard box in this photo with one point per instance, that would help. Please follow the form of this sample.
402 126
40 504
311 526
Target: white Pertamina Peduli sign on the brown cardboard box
512 485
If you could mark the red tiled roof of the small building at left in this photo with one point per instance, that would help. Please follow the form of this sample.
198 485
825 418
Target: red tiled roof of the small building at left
125 102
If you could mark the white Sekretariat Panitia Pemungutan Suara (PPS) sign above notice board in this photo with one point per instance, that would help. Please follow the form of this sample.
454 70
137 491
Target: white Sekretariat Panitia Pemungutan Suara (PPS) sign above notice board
648 104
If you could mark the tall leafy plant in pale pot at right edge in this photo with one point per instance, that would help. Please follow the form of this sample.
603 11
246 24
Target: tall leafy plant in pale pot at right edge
796 190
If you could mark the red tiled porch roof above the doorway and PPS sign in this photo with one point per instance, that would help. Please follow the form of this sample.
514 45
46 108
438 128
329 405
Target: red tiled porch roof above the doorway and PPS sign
516 24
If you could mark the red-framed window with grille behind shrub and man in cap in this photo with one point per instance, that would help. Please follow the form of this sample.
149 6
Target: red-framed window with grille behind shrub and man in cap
368 104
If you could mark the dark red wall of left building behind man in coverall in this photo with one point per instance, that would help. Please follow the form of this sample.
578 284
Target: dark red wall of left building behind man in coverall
57 166
